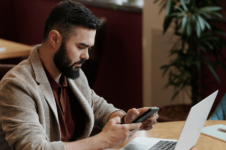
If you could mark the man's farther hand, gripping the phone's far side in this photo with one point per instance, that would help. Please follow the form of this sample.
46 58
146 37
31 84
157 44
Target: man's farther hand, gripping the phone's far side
132 114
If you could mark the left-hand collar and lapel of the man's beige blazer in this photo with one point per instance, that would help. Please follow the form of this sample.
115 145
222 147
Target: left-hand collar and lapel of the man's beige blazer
42 80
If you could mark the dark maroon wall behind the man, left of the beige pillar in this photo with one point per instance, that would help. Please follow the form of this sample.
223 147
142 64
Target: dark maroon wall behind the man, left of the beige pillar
119 78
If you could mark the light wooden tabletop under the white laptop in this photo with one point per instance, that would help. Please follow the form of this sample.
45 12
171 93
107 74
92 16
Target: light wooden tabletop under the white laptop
172 130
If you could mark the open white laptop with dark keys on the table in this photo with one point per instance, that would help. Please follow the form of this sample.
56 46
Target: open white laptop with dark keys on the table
189 135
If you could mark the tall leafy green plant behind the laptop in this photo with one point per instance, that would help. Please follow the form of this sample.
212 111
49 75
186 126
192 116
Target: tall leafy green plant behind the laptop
195 25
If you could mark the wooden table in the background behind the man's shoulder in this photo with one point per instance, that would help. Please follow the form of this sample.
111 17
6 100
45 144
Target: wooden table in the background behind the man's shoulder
14 49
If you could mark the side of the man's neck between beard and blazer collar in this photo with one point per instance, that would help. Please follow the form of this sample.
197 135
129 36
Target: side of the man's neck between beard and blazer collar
46 55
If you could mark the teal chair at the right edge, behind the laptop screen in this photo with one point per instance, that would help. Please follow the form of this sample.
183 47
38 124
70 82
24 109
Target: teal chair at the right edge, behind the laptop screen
220 112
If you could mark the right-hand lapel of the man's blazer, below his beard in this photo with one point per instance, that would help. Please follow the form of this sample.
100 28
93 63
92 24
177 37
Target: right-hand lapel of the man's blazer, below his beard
85 105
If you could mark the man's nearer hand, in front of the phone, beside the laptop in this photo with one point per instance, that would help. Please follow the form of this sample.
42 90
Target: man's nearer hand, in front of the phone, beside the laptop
114 133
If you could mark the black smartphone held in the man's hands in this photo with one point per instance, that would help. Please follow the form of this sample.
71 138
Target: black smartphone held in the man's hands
146 115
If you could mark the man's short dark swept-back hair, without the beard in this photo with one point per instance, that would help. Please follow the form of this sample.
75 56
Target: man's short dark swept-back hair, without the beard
67 15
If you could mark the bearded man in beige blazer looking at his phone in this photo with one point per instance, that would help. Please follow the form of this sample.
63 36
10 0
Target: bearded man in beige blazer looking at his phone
45 101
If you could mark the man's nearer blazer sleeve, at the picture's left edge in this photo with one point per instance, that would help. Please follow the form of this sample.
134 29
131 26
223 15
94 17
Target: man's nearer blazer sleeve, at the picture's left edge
19 118
